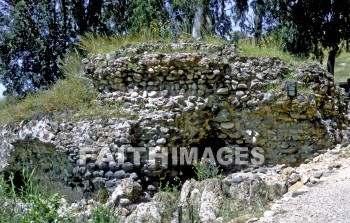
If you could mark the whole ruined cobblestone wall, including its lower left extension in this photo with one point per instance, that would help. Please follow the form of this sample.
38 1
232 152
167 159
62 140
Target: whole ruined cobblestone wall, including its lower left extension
209 97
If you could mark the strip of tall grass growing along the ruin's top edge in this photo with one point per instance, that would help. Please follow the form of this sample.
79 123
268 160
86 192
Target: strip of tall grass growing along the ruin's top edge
93 44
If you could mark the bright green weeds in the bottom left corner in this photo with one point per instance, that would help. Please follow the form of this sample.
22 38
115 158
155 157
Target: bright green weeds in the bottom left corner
34 204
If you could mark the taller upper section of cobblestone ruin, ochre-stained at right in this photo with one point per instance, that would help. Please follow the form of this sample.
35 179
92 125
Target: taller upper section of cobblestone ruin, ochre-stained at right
238 99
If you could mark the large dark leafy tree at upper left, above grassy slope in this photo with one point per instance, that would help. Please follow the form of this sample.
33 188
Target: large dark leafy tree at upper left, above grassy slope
34 34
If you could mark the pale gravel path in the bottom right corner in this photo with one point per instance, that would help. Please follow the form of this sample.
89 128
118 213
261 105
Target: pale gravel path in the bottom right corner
328 202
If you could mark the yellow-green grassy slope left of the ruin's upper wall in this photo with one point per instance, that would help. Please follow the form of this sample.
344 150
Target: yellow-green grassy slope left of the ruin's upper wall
70 98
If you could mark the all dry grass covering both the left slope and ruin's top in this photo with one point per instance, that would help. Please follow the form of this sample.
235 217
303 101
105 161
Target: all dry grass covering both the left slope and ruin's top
73 99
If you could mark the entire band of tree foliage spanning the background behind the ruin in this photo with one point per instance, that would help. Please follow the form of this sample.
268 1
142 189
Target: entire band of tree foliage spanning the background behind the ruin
35 34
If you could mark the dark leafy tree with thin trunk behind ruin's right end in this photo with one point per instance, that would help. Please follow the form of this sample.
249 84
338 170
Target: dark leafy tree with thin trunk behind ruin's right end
308 25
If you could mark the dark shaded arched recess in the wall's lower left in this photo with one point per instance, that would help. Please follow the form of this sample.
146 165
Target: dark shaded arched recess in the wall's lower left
46 166
